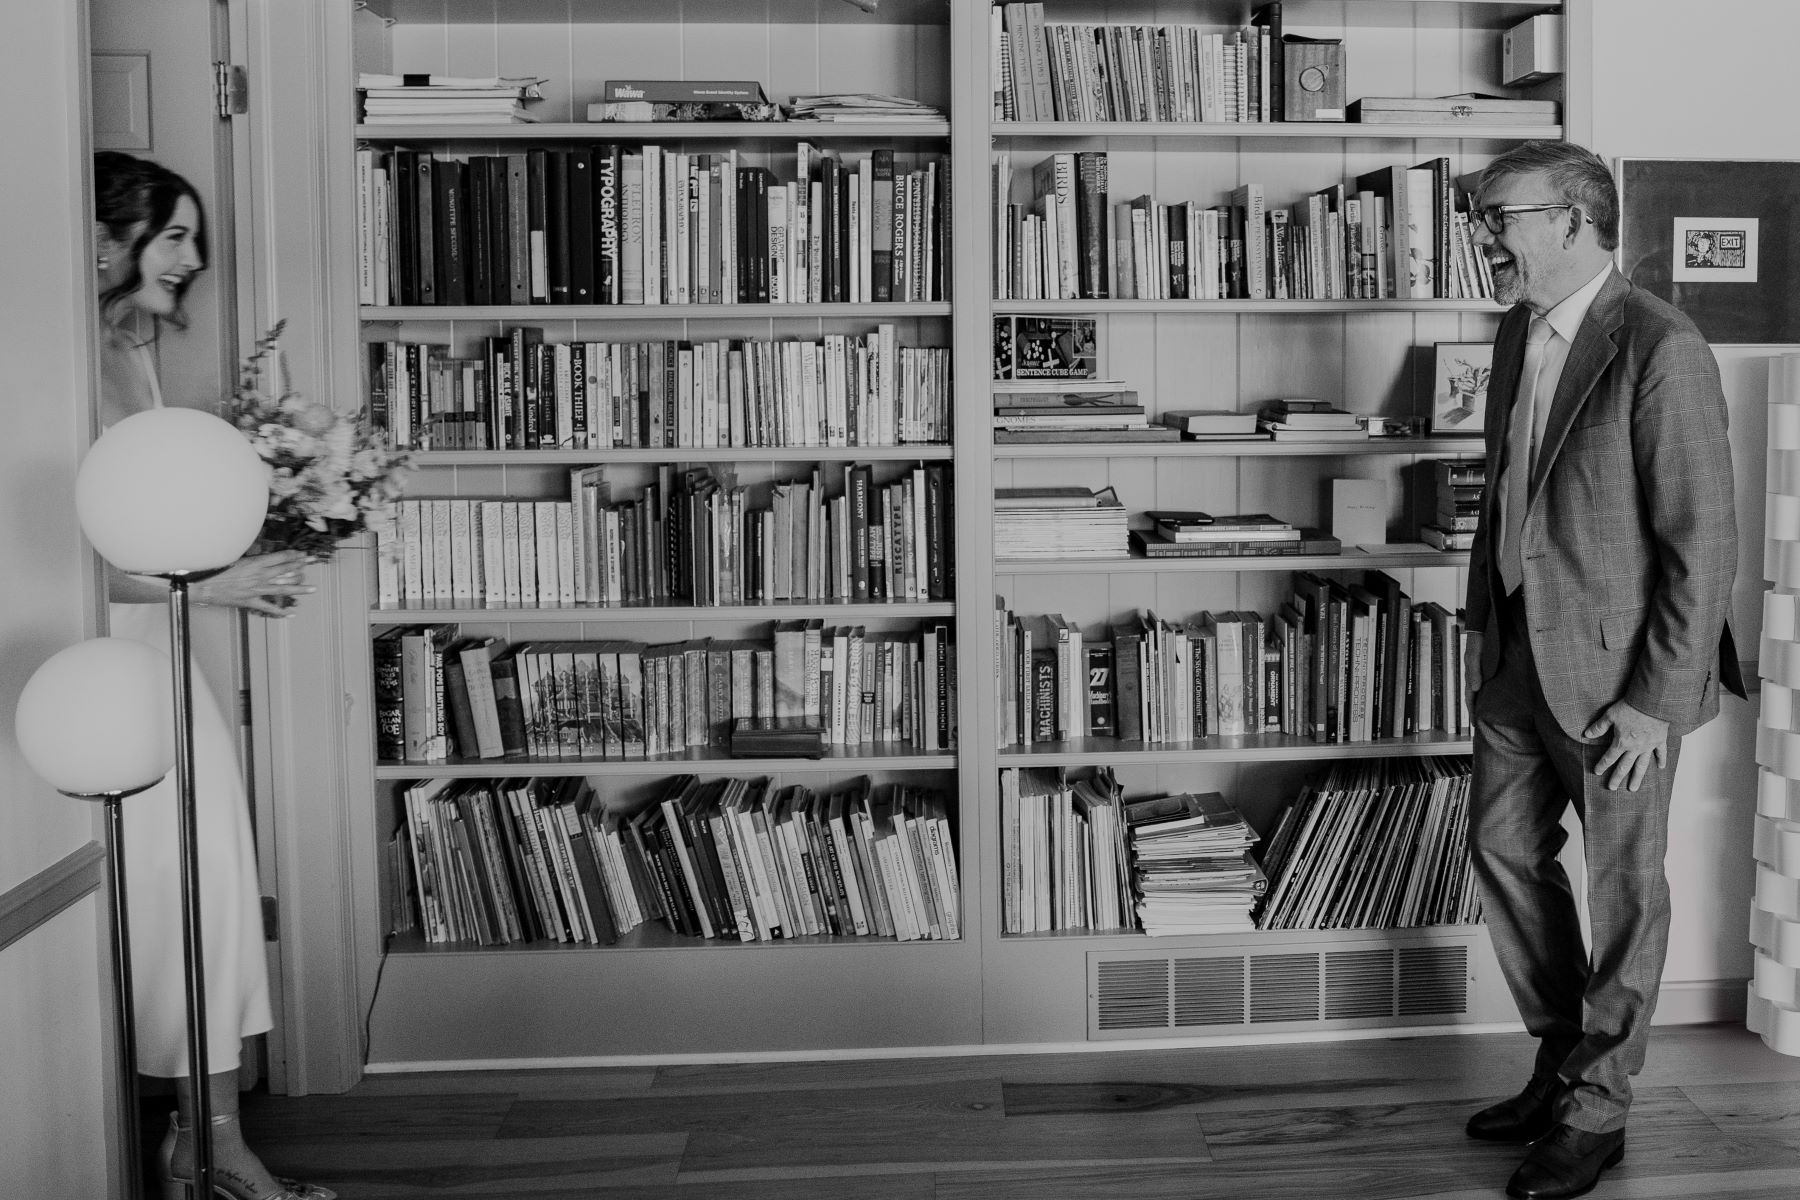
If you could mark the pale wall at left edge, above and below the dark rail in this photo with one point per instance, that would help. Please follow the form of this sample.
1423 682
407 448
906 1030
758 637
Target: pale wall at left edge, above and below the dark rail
53 1050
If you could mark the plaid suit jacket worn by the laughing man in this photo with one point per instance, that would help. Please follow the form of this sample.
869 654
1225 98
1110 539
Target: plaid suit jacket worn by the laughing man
1630 541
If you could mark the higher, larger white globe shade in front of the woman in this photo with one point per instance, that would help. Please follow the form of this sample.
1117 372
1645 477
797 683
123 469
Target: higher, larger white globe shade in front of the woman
172 492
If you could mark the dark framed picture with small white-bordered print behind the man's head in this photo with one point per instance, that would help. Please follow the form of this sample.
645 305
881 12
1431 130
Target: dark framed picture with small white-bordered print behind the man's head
1716 238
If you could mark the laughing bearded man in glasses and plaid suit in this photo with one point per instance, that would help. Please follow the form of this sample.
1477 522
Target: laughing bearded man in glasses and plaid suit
1597 605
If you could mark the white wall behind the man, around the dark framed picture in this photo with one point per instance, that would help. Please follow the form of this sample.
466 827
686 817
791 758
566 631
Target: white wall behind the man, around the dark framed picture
1680 80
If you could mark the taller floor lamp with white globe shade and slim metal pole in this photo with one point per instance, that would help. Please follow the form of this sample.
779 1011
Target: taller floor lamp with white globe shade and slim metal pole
179 496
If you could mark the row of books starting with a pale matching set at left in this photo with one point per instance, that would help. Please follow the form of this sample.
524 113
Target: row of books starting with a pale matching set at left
690 537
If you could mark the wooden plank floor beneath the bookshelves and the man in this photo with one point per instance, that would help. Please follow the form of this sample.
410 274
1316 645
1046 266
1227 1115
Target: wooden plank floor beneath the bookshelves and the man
1716 1118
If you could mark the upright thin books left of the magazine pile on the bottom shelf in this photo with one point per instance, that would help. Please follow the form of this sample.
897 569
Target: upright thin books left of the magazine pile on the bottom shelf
1063 854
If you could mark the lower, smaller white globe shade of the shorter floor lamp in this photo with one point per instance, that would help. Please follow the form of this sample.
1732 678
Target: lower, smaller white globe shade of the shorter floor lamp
98 717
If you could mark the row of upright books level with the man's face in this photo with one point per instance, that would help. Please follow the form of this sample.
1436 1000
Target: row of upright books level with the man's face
1396 233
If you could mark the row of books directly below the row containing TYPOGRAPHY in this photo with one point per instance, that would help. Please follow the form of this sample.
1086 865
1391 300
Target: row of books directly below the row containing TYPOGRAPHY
523 393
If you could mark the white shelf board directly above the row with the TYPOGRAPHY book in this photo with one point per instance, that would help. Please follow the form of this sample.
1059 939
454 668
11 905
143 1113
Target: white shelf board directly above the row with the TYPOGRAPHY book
660 132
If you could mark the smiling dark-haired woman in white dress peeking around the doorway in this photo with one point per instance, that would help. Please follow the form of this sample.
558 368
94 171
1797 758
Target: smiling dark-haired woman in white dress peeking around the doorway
150 244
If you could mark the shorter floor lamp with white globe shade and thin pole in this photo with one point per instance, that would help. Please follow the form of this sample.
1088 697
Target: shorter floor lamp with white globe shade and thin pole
94 722
